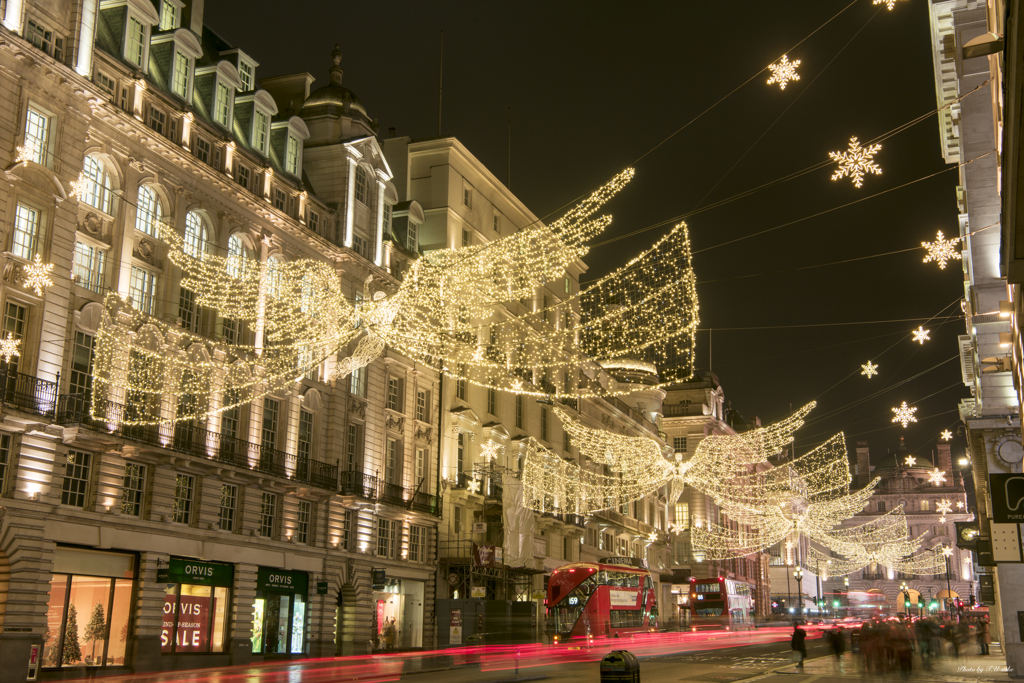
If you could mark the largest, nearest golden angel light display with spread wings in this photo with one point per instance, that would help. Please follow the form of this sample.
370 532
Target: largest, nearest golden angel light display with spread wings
456 309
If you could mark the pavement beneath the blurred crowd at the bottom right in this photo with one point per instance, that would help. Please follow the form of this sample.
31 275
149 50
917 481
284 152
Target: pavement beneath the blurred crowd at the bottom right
967 669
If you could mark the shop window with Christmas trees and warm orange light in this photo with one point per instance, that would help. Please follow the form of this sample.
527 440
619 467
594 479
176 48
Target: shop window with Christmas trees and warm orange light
90 610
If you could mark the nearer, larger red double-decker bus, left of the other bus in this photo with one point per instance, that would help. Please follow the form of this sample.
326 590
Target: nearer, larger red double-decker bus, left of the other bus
615 596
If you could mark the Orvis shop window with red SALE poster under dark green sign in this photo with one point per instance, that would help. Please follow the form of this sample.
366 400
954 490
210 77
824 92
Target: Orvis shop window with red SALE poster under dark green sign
196 606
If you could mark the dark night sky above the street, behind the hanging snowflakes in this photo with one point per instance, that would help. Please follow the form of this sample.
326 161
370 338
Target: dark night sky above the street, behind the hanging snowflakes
595 87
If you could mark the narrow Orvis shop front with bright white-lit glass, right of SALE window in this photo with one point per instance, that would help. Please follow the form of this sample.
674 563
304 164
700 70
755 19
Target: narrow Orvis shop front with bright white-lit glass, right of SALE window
280 612
